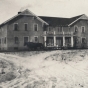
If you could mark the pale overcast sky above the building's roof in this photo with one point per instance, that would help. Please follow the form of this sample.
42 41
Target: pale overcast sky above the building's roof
56 8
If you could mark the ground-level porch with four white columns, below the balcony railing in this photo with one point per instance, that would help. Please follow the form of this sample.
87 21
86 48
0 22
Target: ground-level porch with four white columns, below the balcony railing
54 41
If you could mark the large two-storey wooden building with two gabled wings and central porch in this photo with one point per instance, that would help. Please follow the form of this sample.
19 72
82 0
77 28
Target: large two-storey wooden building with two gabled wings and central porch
50 31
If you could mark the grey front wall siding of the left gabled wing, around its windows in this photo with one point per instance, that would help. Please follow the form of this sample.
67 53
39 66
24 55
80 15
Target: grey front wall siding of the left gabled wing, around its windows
21 33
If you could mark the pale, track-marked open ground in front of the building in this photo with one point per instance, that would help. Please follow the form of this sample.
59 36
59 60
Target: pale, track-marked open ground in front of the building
46 69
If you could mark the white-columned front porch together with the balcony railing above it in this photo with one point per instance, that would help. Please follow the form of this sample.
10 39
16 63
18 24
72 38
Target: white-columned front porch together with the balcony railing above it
58 39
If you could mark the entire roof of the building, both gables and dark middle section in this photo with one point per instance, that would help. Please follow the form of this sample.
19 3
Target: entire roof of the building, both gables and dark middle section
52 21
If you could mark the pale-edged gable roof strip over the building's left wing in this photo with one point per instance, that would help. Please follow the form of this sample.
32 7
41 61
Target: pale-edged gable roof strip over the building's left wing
25 12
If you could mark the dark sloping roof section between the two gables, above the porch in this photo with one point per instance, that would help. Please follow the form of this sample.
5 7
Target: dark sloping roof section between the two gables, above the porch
56 21
